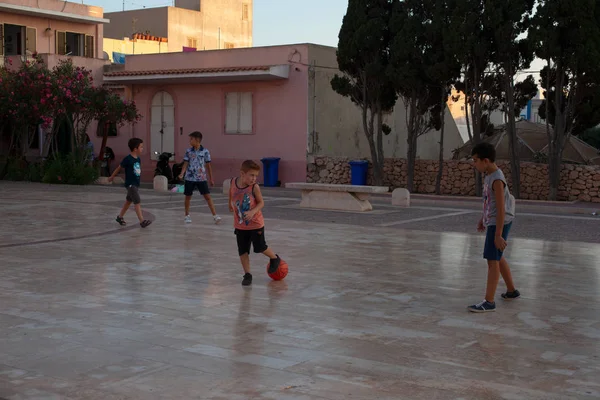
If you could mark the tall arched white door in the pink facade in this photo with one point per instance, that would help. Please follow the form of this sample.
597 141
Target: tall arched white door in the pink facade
162 124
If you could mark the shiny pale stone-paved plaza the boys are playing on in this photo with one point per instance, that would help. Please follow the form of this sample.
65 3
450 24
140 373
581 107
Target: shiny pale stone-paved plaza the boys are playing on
374 306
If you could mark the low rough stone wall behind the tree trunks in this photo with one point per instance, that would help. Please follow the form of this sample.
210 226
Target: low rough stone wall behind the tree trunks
577 182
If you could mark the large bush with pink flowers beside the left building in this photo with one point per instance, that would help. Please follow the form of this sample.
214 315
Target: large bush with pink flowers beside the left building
33 95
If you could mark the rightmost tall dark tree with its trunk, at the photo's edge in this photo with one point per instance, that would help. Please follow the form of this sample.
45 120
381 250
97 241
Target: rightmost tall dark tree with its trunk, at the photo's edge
567 34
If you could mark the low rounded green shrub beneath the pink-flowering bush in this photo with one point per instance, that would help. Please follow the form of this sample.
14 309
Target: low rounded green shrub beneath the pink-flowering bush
69 169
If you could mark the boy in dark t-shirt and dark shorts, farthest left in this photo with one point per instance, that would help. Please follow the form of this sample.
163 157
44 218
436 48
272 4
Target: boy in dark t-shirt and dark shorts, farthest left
132 166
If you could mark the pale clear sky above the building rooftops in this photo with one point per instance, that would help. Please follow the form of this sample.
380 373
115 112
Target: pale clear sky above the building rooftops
275 21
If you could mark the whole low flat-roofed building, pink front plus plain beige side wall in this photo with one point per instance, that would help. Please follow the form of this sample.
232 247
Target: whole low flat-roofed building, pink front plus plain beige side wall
252 103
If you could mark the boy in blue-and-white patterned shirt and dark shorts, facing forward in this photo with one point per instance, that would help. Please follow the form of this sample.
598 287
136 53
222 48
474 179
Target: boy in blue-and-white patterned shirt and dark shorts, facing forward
198 173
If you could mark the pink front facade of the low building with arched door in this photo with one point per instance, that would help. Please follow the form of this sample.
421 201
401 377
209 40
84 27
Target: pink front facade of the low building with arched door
248 103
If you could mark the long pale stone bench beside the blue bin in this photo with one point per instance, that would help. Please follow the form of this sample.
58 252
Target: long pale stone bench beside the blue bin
336 197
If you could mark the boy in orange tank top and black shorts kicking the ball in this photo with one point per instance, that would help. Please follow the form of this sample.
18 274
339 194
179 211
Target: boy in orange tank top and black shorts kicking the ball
246 203
